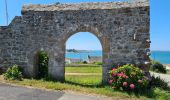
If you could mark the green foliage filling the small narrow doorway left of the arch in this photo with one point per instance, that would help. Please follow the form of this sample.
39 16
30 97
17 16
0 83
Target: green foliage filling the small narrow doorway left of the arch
43 64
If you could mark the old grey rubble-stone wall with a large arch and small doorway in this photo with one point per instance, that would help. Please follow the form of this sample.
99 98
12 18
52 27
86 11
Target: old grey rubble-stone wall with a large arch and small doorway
47 27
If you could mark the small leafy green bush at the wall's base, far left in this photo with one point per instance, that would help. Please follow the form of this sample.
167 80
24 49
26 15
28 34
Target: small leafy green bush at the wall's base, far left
13 73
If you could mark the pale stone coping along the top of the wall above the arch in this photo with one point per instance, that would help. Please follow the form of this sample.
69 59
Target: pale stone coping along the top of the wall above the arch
83 6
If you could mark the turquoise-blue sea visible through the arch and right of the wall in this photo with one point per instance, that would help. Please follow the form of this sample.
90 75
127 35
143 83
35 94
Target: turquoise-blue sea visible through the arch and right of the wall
161 56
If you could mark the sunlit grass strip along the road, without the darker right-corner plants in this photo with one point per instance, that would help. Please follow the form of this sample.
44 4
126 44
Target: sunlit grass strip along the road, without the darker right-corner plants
100 90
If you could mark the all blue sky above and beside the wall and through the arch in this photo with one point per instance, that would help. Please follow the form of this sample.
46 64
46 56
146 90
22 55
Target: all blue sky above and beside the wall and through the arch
160 23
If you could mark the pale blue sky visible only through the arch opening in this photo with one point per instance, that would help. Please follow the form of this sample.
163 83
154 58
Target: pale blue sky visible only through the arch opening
83 41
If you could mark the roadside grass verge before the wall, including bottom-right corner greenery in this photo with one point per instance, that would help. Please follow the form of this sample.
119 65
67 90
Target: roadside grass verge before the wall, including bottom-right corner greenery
155 94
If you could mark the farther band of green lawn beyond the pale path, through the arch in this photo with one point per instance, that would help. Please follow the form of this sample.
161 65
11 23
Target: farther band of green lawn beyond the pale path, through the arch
89 69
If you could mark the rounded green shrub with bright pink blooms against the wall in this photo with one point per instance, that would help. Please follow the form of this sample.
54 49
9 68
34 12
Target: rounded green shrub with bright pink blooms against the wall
128 77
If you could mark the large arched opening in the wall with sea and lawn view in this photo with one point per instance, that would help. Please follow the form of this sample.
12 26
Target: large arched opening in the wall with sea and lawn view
83 59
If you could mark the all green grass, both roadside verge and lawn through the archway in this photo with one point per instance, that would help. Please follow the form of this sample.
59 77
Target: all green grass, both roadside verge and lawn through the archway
91 84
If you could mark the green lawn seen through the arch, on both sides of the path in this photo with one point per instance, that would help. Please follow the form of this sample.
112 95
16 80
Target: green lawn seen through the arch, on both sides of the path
85 80
